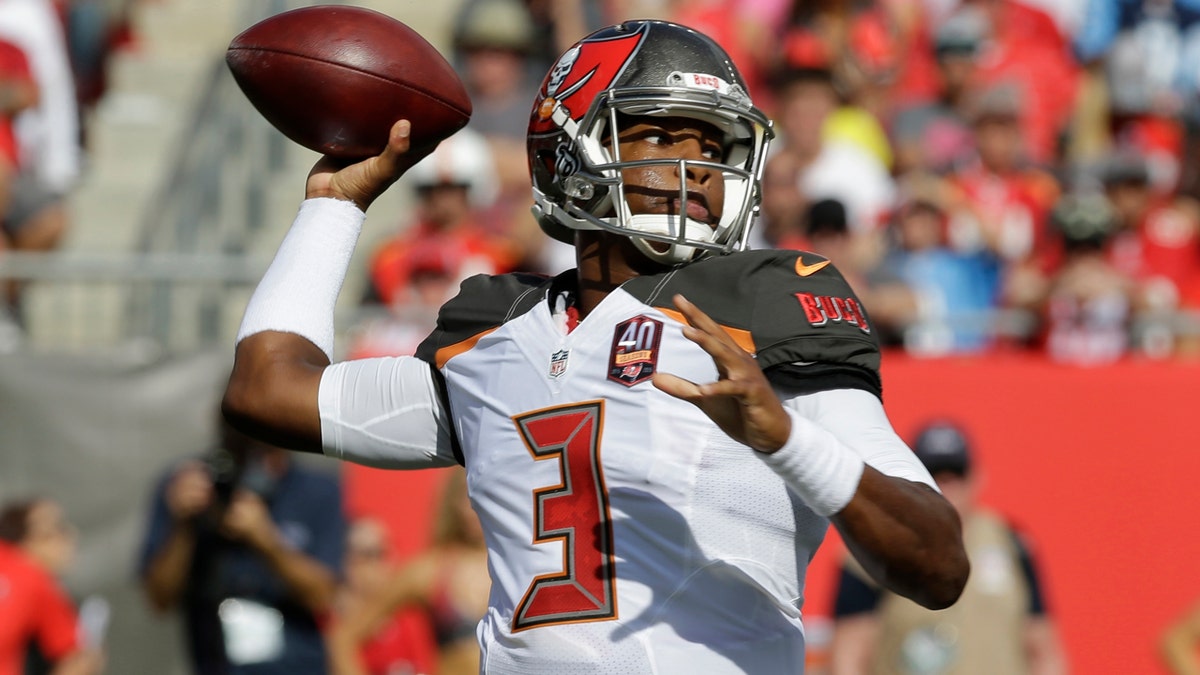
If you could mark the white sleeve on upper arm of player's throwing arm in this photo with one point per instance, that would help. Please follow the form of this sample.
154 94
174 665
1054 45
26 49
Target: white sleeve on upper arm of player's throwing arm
385 413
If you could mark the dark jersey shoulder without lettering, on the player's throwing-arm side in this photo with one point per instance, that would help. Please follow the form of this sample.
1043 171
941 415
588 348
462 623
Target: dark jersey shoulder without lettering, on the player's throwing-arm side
484 303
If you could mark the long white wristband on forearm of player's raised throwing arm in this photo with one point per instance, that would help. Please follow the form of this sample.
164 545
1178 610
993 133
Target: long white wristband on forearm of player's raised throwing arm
299 290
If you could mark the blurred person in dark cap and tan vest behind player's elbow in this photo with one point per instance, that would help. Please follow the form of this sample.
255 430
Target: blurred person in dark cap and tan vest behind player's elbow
1000 625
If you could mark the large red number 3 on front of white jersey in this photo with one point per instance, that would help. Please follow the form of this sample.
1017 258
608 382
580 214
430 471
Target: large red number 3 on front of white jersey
577 513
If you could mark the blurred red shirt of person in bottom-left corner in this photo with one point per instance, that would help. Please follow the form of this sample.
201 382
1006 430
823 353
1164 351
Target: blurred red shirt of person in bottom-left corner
34 608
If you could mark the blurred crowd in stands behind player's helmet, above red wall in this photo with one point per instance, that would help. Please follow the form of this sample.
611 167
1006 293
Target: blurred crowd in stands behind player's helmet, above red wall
989 175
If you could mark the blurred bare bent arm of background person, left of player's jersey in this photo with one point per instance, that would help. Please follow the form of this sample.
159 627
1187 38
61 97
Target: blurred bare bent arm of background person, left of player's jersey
410 586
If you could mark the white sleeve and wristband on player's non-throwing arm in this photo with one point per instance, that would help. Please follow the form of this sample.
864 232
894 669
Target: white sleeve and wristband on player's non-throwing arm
835 434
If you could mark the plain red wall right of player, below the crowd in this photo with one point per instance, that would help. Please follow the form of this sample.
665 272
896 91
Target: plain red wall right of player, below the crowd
1100 465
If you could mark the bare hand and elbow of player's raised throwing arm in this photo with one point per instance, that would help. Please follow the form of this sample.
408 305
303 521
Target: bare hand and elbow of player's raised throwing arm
273 390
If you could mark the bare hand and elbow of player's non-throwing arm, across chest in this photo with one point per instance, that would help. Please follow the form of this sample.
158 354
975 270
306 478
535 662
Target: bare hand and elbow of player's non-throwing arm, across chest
919 555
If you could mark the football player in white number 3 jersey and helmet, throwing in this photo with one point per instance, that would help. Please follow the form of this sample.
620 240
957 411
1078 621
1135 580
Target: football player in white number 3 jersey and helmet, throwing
650 492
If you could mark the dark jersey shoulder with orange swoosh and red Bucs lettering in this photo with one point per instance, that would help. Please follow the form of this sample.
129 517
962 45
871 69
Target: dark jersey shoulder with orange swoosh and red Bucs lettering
791 307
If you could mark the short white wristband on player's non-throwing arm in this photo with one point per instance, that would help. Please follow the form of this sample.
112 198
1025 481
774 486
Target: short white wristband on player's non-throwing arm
818 467
